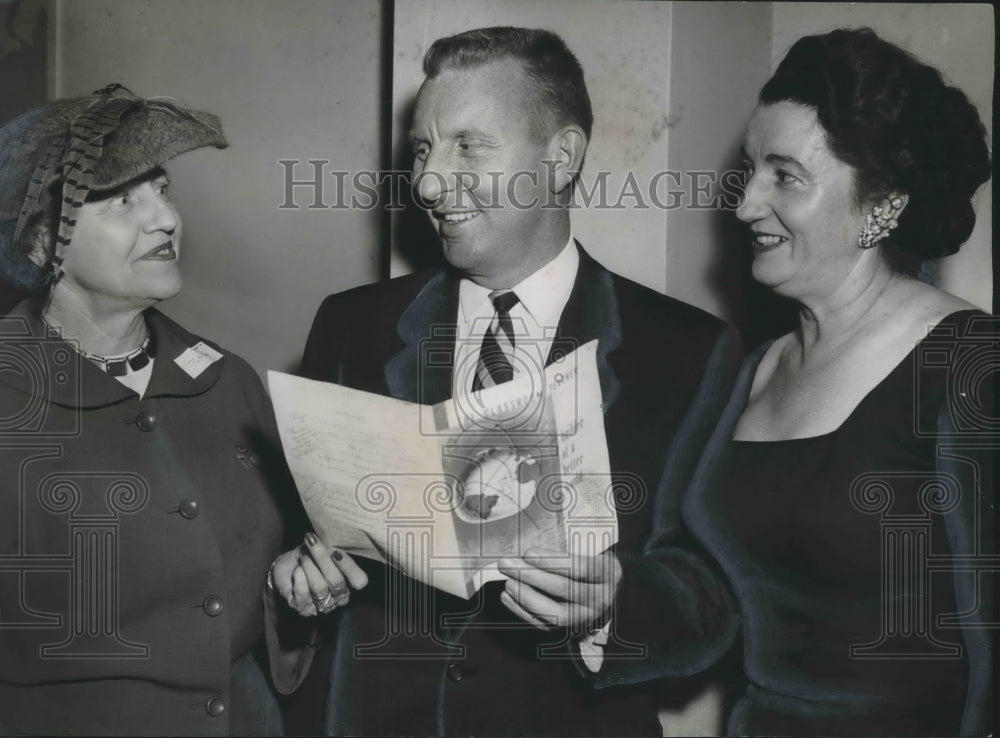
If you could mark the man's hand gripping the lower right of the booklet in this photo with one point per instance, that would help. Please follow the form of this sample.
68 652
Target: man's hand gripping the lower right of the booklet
552 589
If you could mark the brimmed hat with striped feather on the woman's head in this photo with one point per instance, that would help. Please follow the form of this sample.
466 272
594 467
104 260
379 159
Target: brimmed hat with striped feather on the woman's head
53 156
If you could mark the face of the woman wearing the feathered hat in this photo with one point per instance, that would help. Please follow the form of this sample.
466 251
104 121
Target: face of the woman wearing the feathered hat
124 248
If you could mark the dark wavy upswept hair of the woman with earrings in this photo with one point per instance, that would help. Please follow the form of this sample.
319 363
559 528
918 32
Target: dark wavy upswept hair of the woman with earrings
900 126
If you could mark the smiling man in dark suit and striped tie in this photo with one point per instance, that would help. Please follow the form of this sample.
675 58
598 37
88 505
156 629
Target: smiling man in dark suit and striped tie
500 129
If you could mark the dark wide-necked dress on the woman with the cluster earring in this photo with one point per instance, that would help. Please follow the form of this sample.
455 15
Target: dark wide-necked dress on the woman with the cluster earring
839 548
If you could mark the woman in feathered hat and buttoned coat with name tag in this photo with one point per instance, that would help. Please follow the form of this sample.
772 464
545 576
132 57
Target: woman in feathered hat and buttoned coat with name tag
140 483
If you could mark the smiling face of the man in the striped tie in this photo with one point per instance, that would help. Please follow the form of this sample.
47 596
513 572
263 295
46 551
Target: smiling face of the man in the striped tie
479 170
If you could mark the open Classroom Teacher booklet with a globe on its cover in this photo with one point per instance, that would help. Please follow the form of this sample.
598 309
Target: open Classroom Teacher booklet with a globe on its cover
443 492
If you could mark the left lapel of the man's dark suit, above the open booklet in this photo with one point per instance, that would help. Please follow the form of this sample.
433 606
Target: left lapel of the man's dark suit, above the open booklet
421 370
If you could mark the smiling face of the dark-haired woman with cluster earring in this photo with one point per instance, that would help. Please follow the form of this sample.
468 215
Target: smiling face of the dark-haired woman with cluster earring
798 202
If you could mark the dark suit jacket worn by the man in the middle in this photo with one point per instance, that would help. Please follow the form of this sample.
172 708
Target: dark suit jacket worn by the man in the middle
412 660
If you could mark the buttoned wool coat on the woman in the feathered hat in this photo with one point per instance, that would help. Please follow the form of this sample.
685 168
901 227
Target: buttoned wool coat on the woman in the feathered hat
135 537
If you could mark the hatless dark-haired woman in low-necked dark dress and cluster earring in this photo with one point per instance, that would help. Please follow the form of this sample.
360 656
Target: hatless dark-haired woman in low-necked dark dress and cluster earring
852 467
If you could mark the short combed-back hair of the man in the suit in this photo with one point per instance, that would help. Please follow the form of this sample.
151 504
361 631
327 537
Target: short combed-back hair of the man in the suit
559 95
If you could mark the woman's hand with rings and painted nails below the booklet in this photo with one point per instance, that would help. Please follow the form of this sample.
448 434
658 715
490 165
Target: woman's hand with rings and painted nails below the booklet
315 580
